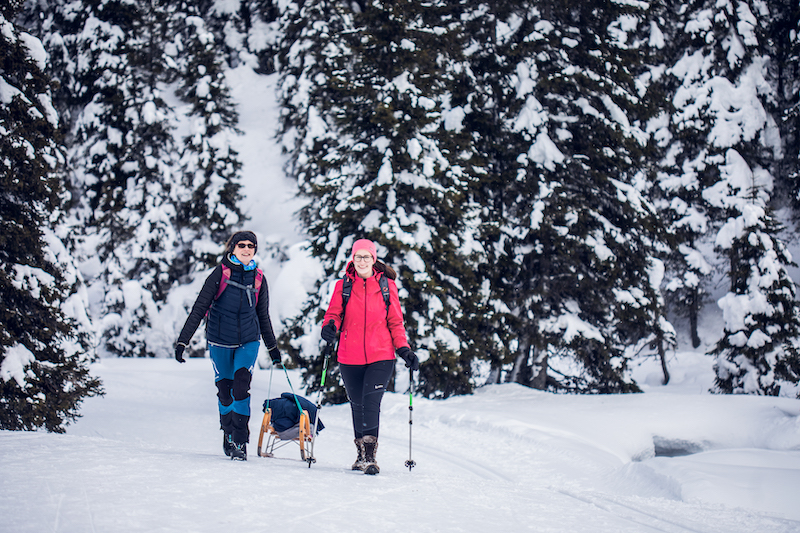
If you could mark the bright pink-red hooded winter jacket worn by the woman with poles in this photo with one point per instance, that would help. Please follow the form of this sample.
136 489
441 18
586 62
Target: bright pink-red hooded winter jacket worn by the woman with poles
369 333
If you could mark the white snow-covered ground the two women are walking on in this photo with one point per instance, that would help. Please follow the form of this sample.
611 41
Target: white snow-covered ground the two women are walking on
148 457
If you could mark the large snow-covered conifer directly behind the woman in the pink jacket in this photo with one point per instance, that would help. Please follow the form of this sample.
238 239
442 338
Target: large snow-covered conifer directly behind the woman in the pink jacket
376 142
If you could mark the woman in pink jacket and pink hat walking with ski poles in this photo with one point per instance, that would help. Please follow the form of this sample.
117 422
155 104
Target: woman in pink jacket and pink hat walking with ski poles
371 332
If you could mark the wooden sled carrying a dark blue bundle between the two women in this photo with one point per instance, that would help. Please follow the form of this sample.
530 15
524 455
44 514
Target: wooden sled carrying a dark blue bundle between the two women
287 419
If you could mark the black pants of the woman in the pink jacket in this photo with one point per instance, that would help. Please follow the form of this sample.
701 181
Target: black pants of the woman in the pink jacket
365 385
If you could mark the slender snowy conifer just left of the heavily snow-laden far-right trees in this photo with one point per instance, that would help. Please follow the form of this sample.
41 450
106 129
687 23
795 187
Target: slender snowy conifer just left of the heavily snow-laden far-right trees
679 181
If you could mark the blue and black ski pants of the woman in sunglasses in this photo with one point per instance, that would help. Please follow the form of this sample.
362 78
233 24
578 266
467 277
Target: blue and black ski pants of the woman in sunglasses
233 371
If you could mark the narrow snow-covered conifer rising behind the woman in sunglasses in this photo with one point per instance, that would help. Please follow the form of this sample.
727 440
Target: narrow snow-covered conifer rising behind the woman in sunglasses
206 188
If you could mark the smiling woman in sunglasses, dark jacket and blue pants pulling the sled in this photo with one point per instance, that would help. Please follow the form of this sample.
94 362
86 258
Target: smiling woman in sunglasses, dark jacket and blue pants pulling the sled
235 298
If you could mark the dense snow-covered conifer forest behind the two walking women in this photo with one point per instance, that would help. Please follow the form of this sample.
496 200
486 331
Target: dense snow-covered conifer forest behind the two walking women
558 183
